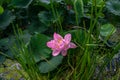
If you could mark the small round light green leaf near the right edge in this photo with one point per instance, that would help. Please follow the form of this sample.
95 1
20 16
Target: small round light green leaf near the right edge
107 30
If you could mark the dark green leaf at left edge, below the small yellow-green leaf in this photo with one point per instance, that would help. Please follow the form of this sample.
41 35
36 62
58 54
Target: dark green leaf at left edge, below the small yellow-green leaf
5 19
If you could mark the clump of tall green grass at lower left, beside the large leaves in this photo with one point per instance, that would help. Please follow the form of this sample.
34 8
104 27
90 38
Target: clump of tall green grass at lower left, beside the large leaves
24 56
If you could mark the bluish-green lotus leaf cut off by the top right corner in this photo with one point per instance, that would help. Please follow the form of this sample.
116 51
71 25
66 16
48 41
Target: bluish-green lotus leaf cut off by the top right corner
113 6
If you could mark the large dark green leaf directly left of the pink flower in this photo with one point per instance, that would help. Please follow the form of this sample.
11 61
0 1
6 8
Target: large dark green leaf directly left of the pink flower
39 48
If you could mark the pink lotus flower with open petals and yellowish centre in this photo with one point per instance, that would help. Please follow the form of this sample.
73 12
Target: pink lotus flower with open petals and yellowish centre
60 44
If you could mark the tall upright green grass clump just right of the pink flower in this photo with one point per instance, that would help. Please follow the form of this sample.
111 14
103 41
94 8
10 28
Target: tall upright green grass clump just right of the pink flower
86 59
